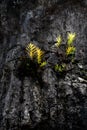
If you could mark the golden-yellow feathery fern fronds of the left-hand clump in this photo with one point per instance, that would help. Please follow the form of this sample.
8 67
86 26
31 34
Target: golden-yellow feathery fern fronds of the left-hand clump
35 52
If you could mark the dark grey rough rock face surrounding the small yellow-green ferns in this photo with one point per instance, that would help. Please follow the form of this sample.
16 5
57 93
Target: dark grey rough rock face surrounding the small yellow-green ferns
51 101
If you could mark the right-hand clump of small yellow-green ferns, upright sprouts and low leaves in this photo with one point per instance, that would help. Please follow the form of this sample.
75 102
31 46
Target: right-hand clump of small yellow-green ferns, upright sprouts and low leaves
68 52
